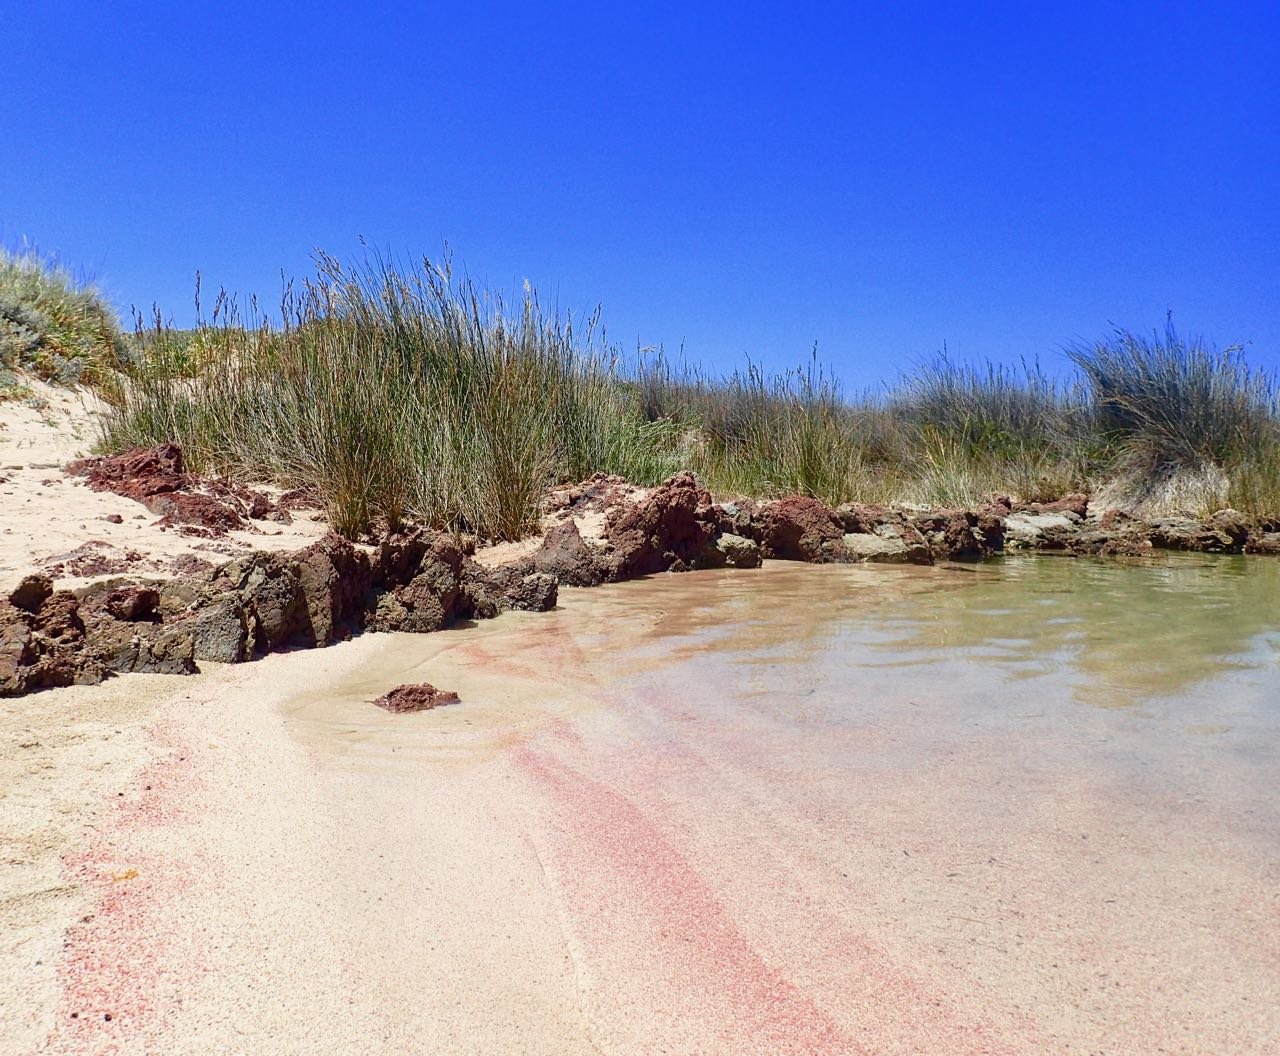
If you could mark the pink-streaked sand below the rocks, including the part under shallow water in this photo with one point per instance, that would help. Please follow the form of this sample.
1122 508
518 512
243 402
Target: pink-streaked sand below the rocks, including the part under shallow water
1027 808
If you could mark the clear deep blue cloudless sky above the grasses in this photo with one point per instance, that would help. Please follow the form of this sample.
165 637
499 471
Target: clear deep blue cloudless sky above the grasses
738 179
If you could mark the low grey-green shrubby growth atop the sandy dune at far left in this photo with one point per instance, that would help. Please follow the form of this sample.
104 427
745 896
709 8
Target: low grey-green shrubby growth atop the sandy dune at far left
54 327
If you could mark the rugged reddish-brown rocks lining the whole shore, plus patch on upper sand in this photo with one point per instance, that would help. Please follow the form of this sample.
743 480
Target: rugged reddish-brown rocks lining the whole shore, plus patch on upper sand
604 531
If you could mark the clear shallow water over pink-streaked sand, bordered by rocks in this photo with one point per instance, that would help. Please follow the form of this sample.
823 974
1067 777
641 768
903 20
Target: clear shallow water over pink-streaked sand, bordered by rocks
1028 806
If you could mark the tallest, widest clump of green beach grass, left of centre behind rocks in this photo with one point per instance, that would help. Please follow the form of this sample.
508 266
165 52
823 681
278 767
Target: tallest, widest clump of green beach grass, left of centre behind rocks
397 392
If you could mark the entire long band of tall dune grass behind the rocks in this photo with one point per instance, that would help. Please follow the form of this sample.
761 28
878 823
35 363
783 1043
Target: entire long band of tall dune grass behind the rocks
409 392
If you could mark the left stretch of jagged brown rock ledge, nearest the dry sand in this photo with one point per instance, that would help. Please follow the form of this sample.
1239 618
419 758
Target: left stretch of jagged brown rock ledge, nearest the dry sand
412 582
